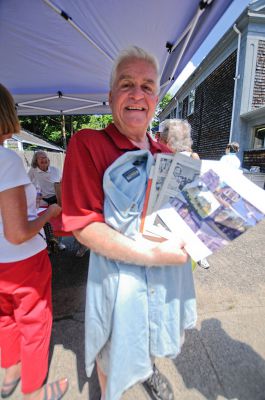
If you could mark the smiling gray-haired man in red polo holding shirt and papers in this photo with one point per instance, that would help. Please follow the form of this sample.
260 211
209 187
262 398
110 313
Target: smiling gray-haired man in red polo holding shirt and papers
133 97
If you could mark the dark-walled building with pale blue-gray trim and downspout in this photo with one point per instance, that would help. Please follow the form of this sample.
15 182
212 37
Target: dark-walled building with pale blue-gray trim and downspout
224 98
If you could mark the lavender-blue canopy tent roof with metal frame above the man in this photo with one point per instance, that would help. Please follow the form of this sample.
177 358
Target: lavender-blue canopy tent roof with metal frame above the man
63 50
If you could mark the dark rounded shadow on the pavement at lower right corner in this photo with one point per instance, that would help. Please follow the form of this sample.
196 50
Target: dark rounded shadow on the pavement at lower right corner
215 364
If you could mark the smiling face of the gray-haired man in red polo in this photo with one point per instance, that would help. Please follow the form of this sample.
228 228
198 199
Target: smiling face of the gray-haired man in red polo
133 97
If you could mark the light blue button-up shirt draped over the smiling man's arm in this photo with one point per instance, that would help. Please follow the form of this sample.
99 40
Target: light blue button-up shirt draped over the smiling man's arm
142 311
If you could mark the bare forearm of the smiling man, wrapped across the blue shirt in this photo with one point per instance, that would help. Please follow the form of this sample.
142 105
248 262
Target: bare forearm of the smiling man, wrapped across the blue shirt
104 240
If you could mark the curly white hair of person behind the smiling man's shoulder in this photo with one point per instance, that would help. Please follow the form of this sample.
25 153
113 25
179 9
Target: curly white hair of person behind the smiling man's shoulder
177 134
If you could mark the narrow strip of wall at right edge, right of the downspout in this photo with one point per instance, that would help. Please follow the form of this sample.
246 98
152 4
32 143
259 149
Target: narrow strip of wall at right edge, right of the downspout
258 99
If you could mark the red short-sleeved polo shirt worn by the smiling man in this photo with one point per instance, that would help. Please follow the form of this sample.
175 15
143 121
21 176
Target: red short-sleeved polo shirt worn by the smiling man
89 154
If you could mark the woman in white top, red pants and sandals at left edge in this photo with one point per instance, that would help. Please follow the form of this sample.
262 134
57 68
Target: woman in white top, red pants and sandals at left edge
25 274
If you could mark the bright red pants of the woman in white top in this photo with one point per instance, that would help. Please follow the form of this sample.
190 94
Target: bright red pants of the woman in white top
26 317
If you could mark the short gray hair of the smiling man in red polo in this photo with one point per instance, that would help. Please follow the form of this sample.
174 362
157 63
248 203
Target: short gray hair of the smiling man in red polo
133 52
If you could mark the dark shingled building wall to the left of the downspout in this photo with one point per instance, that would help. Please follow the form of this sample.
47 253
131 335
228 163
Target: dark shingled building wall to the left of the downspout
213 109
